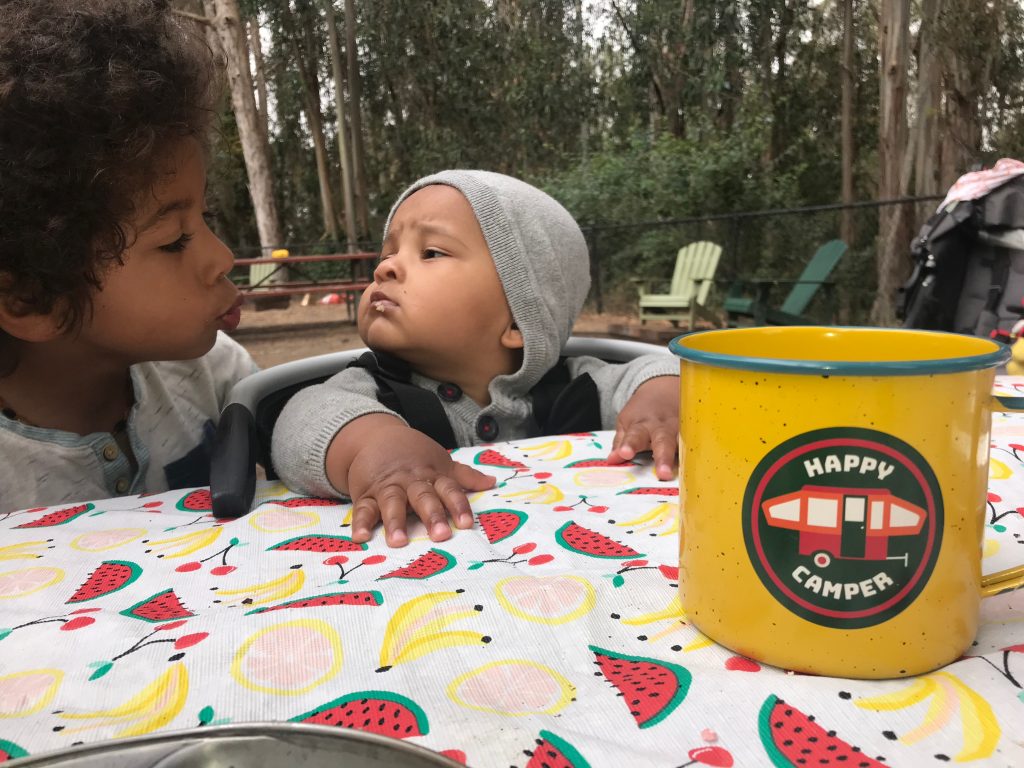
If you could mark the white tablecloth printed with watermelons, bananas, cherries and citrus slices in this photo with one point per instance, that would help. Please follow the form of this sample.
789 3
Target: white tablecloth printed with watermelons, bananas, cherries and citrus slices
550 634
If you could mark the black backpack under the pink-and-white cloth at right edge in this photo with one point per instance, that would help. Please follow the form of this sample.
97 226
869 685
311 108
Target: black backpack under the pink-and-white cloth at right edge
969 268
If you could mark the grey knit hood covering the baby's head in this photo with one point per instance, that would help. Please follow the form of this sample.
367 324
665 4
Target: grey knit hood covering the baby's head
541 257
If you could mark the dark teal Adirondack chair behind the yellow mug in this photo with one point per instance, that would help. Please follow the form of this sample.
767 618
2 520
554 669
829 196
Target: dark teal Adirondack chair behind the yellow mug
815 277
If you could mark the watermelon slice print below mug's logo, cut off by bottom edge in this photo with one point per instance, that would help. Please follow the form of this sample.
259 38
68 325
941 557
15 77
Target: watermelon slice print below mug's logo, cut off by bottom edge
793 739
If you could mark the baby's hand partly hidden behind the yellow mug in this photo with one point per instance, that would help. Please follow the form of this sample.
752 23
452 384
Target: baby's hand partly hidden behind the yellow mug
651 422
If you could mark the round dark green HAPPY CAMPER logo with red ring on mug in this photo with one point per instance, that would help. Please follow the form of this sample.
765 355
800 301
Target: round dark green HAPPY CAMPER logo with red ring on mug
843 526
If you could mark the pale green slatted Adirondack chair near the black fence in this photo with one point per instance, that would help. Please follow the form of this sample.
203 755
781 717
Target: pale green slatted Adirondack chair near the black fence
692 282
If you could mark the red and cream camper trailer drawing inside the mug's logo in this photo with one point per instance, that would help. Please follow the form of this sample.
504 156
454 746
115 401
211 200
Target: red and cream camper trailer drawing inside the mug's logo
846 524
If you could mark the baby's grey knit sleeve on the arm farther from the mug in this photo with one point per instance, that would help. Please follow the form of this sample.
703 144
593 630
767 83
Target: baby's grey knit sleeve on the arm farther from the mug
310 422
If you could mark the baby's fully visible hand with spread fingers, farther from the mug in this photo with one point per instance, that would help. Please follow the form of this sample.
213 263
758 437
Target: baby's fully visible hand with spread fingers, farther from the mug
400 468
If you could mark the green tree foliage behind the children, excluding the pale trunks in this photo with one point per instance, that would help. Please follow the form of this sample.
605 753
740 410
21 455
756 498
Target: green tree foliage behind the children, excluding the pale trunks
652 120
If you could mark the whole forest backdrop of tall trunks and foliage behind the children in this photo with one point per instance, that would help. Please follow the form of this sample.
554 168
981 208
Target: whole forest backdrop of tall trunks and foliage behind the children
655 122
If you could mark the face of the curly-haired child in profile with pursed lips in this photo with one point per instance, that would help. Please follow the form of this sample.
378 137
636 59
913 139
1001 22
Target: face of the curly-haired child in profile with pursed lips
173 294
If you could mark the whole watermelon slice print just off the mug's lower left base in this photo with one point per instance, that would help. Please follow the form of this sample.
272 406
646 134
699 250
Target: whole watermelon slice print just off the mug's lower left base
652 689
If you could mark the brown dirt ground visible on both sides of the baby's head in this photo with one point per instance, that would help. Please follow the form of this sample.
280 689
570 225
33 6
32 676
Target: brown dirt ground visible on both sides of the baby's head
275 336
